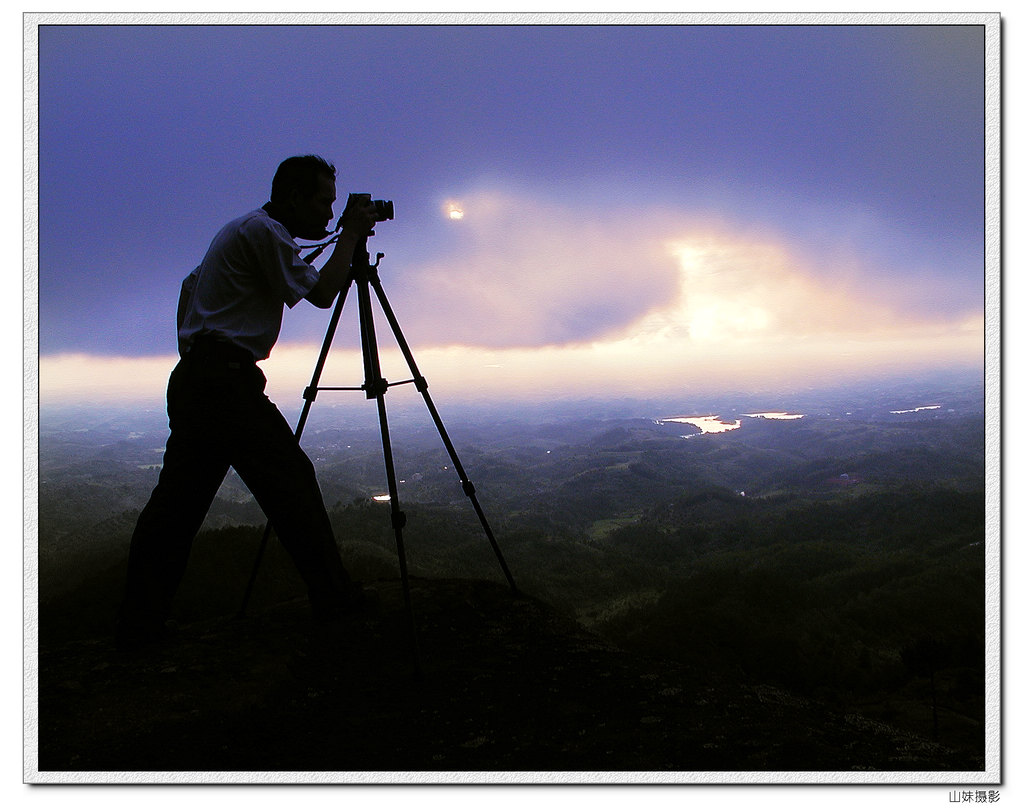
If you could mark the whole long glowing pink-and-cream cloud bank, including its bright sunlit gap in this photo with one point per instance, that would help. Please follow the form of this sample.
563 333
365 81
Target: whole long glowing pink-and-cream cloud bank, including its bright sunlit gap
522 274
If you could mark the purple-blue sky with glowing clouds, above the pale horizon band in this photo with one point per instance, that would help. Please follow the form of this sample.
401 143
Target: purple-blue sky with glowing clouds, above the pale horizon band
855 156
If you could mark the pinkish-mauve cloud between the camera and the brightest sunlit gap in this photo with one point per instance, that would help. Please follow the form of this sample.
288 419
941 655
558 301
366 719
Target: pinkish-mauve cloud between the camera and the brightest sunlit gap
522 273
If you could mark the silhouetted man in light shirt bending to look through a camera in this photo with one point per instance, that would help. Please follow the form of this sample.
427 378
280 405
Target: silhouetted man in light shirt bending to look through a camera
229 319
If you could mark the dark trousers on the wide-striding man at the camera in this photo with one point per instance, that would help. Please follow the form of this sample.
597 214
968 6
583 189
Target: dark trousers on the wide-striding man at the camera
221 418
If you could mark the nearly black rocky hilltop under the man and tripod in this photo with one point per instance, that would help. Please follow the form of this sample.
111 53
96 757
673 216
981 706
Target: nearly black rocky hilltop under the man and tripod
507 686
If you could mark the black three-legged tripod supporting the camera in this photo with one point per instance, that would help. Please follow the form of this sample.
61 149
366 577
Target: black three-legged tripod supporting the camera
365 277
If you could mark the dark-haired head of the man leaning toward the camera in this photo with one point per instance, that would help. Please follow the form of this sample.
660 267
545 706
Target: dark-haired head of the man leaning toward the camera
304 195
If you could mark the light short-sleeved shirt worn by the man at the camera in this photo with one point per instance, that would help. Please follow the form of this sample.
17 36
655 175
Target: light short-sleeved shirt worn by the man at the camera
239 292
